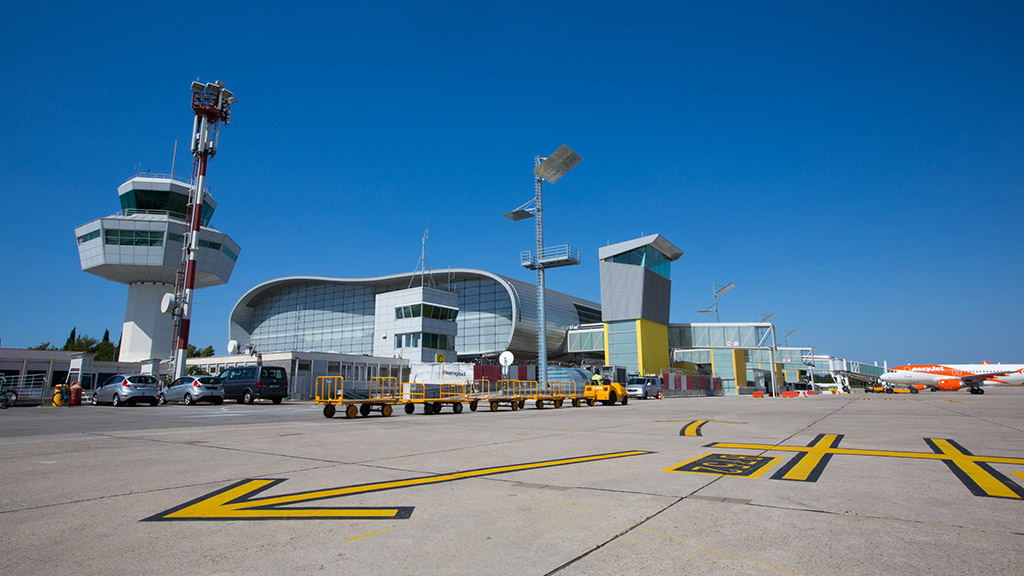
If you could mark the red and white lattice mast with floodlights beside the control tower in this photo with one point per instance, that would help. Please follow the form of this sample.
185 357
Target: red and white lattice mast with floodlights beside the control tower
212 104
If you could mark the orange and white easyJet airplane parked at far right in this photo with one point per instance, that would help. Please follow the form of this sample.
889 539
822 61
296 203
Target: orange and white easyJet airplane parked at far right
955 377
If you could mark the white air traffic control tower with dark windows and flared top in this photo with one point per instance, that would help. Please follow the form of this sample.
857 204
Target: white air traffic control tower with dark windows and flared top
142 246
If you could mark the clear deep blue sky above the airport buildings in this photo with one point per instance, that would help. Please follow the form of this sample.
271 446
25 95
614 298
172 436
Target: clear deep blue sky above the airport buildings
855 168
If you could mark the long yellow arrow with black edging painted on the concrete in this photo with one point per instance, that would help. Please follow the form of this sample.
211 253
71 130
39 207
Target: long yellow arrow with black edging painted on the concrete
238 502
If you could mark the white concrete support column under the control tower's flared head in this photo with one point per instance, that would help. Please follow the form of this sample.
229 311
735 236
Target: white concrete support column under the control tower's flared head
147 331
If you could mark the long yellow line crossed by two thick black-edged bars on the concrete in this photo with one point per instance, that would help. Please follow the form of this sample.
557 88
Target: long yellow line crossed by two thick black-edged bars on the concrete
975 472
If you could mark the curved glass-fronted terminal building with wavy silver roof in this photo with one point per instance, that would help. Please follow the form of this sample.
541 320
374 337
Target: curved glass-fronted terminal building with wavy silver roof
495 314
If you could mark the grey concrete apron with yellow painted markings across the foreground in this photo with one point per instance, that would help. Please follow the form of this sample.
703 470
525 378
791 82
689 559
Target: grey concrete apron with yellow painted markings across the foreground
852 484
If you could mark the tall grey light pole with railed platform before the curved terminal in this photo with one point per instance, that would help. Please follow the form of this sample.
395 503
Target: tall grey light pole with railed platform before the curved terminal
552 170
